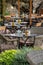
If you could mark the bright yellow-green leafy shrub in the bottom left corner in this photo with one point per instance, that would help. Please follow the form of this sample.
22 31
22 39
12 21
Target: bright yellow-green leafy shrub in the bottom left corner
7 57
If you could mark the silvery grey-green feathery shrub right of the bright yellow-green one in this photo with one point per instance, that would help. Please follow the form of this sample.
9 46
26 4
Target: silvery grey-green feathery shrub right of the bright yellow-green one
20 57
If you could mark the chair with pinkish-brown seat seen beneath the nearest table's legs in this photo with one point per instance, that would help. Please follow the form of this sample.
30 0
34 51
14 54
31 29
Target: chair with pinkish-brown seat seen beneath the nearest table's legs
27 42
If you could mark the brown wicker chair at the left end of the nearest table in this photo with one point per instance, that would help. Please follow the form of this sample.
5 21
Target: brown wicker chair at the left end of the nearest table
7 43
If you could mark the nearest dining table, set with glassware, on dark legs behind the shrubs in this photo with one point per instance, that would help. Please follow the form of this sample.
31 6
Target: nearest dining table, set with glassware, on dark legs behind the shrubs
18 36
